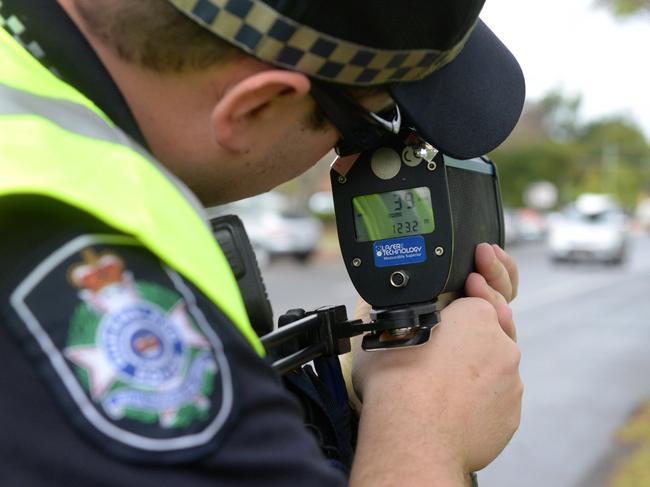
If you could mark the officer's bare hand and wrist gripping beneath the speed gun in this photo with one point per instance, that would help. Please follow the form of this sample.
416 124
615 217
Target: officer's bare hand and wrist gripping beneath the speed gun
431 414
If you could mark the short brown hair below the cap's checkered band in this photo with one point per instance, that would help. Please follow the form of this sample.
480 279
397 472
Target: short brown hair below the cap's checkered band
155 35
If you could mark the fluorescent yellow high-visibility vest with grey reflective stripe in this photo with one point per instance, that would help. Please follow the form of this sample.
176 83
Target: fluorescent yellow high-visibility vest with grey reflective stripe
55 142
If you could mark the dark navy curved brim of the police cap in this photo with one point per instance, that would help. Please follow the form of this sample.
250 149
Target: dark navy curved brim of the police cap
470 106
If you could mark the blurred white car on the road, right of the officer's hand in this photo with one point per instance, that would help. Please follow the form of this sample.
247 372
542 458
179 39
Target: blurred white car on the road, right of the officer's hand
593 228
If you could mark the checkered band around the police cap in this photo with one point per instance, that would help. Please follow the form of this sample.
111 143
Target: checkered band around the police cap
265 33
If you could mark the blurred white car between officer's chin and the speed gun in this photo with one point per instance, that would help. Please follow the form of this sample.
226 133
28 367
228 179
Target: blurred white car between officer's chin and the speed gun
275 228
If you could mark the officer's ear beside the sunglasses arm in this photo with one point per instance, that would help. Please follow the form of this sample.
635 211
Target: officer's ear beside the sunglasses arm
259 108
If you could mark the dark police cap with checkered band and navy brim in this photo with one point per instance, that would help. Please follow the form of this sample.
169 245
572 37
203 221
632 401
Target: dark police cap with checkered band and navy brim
450 75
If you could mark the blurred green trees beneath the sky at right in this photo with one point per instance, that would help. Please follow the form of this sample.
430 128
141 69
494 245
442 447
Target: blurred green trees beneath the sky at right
609 155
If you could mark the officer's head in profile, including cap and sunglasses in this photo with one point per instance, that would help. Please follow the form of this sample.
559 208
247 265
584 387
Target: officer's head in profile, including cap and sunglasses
237 96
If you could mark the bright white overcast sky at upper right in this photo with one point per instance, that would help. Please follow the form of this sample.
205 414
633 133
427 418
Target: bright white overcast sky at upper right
579 48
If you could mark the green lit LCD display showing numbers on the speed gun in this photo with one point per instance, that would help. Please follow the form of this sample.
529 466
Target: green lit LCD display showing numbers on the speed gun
393 214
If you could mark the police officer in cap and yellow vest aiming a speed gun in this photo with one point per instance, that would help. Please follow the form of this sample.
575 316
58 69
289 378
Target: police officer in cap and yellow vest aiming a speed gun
127 355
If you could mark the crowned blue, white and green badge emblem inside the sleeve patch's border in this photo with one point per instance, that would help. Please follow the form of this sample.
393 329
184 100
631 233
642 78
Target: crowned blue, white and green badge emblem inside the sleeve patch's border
136 348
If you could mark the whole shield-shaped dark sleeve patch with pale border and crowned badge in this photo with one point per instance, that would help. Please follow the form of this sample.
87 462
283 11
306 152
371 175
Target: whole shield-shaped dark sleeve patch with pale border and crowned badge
134 353
